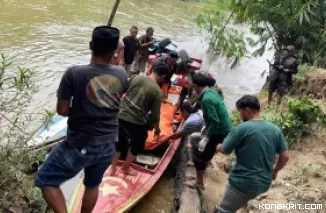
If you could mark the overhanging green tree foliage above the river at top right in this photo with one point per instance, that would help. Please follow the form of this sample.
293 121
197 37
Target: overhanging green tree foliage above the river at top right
284 22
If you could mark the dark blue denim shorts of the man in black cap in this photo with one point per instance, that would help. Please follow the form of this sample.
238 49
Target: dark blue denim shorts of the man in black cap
65 162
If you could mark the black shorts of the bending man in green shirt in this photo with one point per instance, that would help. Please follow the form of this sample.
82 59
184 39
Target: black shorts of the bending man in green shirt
202 159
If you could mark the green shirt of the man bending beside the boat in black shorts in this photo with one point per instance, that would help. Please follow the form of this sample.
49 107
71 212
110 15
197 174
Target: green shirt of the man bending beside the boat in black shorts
216 116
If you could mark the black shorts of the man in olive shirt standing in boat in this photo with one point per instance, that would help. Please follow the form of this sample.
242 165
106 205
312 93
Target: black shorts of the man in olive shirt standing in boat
133 134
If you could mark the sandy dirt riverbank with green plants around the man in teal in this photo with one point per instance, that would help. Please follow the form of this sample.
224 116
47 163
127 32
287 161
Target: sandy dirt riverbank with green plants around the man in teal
301 118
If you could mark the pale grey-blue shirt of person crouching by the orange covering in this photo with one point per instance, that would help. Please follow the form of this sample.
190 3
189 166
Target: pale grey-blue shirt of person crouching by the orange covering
193 123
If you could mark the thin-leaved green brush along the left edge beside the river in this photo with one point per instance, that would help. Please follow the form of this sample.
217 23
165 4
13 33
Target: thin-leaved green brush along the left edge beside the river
17 164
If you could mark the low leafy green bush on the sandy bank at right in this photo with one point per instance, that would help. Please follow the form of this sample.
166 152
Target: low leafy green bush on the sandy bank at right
295 118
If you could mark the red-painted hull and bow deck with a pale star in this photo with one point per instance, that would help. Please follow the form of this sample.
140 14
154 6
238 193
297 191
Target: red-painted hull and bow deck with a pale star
119 193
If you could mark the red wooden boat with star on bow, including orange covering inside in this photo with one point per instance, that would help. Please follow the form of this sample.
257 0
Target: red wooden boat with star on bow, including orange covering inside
121 192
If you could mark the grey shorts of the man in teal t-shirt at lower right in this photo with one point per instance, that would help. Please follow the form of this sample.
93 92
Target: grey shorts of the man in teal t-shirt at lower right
233 200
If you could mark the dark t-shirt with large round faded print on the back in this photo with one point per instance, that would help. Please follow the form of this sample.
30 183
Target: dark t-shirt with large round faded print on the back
94 91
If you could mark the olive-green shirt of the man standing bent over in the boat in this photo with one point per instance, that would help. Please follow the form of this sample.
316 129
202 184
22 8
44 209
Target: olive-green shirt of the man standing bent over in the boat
143 95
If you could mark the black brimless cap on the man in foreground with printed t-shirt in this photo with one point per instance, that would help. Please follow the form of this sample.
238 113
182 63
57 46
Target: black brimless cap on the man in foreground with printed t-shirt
105 39
